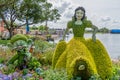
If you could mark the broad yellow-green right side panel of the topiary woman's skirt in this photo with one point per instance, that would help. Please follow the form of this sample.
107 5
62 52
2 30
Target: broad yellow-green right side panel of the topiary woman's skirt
101 58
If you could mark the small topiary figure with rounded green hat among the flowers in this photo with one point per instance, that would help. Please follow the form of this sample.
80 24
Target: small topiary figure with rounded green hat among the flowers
22 59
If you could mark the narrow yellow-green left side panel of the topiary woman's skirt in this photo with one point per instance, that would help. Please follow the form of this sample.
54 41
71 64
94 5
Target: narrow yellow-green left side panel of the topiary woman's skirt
59 50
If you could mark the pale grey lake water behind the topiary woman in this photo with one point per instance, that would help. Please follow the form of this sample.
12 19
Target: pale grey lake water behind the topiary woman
110 41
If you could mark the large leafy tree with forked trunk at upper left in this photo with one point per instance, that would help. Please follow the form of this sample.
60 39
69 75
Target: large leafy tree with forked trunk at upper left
26 12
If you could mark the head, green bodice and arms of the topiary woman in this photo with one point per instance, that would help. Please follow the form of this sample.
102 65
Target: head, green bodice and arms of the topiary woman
79 23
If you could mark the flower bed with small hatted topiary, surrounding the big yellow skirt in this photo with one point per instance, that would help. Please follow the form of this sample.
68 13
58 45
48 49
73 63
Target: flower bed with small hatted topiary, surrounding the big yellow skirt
35 63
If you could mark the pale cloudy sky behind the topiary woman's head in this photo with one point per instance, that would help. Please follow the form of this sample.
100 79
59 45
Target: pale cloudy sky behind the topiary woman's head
102 13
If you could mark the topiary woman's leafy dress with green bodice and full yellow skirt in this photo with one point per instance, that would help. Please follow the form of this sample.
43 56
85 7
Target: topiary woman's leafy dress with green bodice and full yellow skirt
79 51
